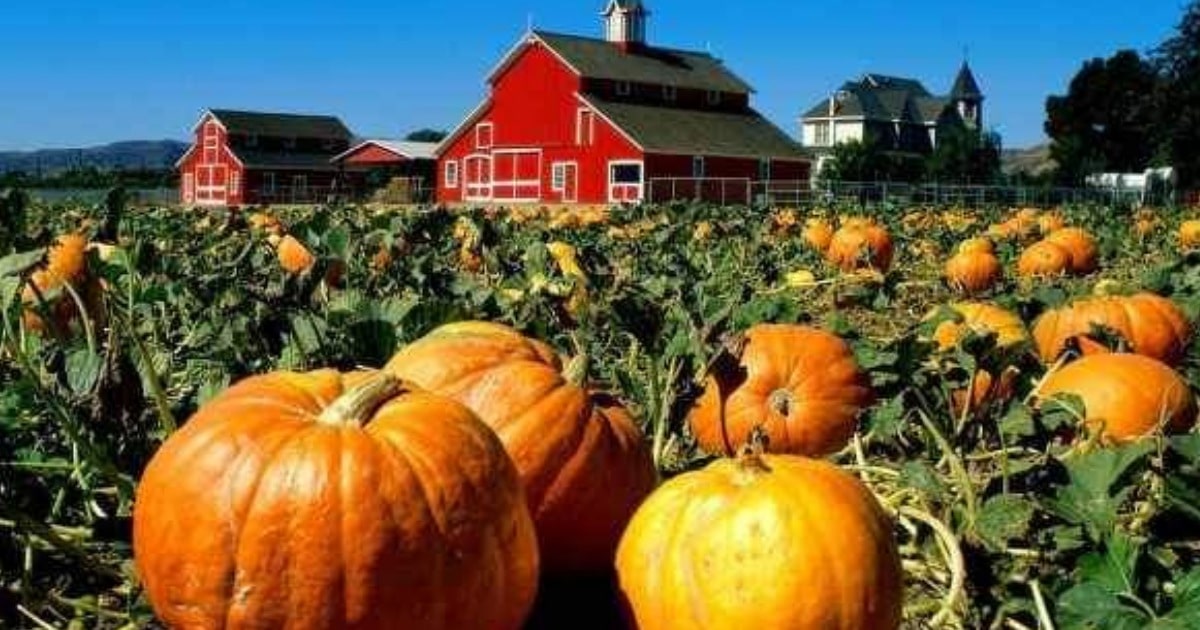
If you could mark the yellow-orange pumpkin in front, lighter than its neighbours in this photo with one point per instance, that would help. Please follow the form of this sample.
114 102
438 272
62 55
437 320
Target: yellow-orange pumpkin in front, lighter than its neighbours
761 542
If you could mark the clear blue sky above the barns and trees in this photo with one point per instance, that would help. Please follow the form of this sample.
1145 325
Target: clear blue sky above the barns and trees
83 73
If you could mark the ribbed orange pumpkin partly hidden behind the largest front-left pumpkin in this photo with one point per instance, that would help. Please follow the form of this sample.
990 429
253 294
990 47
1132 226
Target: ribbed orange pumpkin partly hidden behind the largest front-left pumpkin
584 463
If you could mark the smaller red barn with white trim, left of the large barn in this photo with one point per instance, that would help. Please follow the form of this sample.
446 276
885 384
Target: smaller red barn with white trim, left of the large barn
253 158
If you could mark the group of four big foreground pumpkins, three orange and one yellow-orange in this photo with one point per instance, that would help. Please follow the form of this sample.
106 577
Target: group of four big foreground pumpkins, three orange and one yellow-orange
436 493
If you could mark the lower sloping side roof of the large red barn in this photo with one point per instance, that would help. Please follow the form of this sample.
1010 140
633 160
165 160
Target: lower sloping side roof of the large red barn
677 131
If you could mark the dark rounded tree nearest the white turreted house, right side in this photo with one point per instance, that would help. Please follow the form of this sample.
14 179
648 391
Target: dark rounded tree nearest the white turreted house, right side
1108 118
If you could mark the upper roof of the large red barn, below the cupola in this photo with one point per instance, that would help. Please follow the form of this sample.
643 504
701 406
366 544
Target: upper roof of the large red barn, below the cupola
599 59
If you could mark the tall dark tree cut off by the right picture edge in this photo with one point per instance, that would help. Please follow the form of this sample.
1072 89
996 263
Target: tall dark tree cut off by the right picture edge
1179 61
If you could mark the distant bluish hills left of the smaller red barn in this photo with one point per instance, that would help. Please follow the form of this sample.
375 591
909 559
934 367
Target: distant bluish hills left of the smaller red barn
123 155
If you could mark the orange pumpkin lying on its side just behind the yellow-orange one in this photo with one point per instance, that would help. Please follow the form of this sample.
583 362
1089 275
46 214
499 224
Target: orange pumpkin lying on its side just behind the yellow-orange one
801 385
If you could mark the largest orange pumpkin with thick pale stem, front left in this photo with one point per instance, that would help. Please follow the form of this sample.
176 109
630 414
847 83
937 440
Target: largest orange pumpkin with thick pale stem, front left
277 507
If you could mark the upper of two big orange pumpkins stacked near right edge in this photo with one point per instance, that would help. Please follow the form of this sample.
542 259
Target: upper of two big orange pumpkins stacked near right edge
1154 326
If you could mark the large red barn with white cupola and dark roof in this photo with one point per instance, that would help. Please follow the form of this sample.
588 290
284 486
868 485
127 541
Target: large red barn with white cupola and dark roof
584 121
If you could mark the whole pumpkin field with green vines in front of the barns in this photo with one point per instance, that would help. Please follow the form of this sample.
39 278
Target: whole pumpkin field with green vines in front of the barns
647 417
